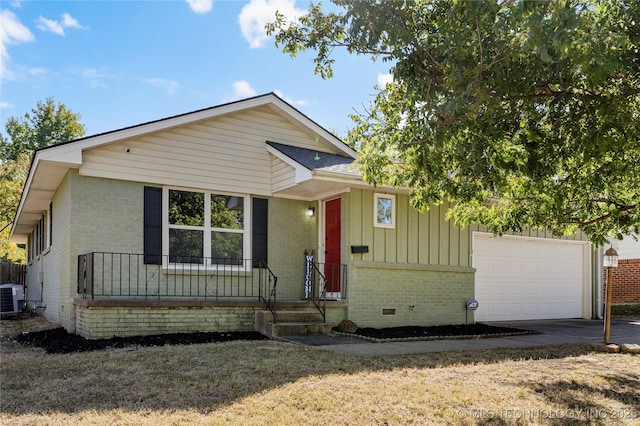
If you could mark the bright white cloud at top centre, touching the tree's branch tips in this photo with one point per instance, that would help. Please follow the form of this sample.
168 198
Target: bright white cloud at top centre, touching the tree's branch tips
258 13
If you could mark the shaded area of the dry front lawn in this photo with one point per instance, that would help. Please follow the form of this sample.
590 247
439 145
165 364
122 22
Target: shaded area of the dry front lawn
204 377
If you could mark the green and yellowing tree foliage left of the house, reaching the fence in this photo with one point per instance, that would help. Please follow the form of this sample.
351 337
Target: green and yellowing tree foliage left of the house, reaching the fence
48 124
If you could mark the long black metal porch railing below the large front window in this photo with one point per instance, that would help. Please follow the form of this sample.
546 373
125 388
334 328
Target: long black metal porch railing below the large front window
103 275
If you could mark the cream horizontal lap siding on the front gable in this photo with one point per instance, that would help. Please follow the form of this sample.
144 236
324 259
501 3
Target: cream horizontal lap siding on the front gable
225 153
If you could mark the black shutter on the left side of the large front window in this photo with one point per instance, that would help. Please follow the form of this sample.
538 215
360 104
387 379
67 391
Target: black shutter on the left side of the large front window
152 225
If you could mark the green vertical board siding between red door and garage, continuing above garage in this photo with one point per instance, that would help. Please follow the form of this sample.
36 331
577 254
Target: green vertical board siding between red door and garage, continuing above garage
425 238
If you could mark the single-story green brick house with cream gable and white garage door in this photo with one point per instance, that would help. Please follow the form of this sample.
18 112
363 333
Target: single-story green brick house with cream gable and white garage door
197 222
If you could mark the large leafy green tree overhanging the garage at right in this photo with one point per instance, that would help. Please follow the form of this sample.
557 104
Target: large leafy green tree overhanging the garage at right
522 113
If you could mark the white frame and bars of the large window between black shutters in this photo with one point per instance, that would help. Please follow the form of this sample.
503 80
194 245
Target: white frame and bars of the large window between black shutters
206 229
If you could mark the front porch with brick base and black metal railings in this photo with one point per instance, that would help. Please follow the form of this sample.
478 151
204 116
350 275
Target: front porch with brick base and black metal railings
121 295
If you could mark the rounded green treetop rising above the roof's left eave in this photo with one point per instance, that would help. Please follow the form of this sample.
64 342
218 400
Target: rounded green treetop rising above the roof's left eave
48 124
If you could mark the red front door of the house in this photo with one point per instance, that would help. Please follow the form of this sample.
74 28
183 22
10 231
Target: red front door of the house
332 245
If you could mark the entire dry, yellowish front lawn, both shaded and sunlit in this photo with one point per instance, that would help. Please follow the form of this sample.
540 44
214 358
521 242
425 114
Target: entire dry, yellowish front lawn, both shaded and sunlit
273 383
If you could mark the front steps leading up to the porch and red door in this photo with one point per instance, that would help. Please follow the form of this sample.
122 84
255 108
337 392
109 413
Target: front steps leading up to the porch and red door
291 322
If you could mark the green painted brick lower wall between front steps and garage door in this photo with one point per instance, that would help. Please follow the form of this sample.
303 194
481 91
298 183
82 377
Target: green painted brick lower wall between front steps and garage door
393 295
